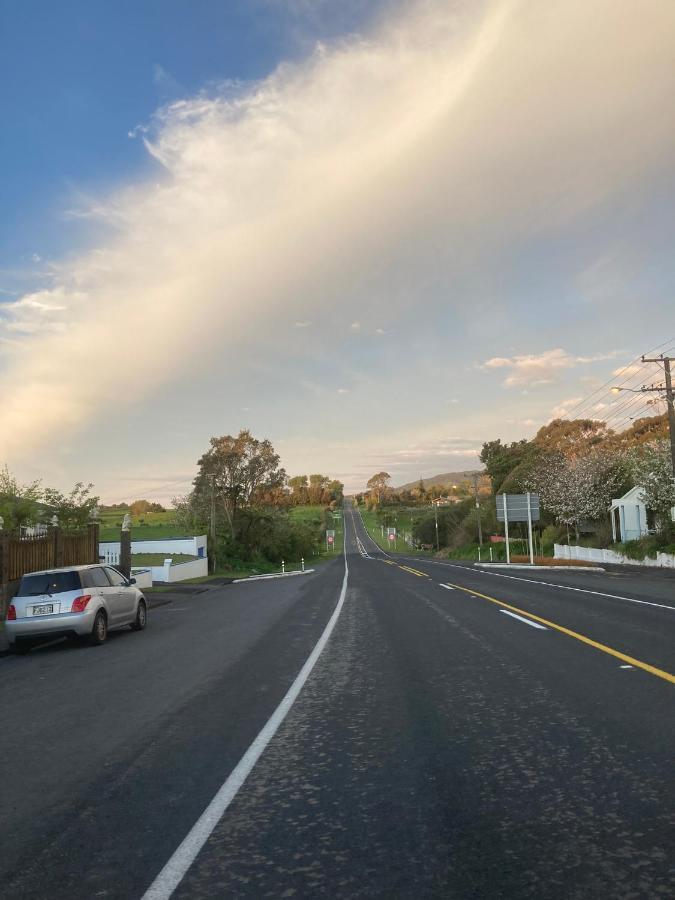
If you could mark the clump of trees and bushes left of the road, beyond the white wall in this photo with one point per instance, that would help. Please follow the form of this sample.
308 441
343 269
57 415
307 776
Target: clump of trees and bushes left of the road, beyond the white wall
243 498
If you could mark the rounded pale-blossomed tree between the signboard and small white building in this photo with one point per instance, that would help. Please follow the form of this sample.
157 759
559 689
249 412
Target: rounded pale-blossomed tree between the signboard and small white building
577 489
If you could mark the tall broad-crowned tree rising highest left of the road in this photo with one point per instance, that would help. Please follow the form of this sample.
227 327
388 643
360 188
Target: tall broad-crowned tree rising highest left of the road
238 470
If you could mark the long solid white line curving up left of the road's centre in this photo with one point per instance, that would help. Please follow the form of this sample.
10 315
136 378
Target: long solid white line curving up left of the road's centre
174 871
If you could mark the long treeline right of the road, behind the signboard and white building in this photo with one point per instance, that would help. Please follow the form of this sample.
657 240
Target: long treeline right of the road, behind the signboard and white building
577 466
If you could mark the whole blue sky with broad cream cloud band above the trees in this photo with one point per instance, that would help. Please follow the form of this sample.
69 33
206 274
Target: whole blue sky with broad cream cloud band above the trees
376 233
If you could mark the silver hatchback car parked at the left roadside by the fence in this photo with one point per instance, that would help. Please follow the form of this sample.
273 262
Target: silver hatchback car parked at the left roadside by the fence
78 601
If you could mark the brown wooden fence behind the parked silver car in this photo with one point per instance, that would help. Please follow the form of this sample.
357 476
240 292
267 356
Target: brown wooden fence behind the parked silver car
56 548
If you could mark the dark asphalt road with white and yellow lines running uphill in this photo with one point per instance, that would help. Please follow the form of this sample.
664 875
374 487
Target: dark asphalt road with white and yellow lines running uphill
461 734
